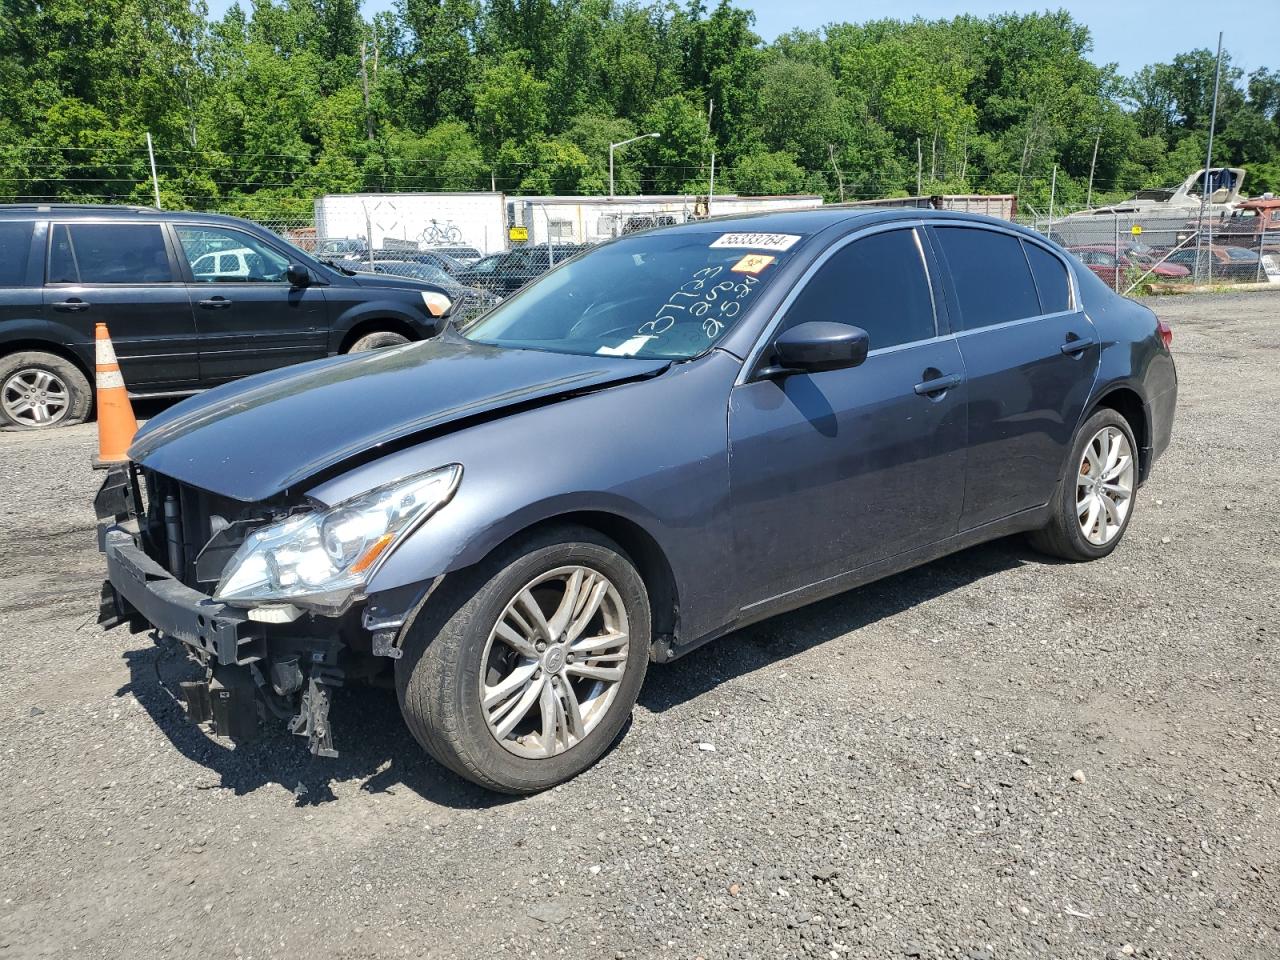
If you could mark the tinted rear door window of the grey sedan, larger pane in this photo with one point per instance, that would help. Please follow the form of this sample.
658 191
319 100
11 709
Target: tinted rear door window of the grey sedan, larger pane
993 280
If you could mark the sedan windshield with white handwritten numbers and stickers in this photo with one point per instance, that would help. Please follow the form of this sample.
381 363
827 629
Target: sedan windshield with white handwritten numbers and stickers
669 295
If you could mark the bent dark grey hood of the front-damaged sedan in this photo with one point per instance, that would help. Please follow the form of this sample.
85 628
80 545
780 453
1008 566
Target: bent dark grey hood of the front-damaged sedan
253 440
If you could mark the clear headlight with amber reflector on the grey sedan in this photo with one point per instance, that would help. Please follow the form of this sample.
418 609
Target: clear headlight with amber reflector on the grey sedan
321 561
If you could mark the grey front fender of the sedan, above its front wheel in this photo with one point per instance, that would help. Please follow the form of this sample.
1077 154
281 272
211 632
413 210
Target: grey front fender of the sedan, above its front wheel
600 452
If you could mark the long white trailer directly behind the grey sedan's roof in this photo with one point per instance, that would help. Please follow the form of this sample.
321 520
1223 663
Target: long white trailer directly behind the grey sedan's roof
595 220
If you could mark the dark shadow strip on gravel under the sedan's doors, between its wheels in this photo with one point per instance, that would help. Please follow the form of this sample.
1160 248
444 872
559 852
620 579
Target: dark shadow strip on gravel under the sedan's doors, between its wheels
788 634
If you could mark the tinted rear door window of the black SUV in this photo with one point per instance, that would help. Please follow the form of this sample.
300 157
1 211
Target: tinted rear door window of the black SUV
109 253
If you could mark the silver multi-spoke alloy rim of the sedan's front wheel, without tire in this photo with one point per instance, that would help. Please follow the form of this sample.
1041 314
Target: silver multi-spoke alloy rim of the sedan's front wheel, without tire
554 662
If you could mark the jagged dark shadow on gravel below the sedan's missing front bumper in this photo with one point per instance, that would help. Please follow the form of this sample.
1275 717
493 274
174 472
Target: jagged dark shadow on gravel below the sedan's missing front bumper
376 749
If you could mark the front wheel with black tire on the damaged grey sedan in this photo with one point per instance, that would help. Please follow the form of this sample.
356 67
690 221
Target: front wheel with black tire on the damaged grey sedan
522 673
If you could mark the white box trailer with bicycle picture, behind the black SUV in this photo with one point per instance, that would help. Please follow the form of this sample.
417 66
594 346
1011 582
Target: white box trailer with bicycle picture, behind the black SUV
427 220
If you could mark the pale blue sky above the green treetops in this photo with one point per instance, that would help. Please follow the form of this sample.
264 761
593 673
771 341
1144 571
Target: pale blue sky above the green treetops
1128 33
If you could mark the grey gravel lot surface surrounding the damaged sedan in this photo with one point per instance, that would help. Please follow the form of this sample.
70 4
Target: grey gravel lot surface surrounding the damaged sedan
989 757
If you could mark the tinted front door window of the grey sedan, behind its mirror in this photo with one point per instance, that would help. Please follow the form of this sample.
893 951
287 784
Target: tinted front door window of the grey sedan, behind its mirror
879 284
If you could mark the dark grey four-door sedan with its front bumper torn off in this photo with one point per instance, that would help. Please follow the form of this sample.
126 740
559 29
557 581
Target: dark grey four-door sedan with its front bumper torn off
666 438
